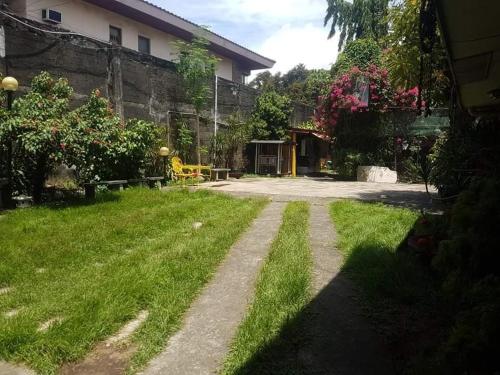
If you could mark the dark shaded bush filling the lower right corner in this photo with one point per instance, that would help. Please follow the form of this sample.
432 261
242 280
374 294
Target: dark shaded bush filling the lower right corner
469 265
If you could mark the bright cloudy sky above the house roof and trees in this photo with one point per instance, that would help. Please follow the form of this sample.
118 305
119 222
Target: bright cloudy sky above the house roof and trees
288 31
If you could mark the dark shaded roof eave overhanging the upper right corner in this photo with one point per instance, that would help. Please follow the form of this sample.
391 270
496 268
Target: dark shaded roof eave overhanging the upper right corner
471 32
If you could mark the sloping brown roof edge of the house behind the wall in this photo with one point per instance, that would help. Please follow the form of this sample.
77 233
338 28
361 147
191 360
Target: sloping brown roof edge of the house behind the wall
161 19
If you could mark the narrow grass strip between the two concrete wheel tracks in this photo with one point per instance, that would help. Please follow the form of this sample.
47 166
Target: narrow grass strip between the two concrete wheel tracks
282 292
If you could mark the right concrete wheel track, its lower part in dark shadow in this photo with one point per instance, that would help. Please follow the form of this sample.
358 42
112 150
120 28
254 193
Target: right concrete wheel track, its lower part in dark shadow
341 340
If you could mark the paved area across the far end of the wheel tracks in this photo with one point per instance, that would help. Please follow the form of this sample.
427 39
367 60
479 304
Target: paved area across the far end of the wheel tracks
411 195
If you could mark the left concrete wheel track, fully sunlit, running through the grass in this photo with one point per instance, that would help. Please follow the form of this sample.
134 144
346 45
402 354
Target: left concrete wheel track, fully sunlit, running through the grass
203 342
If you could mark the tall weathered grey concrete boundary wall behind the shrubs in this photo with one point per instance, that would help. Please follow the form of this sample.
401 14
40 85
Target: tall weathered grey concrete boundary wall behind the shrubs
139 86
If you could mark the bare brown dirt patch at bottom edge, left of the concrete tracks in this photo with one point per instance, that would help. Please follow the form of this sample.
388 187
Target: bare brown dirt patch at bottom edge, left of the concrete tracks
105 360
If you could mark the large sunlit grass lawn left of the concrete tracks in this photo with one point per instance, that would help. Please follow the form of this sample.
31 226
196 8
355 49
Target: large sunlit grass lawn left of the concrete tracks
96 266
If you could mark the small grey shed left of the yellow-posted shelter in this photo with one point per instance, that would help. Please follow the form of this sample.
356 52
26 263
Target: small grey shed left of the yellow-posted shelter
271 157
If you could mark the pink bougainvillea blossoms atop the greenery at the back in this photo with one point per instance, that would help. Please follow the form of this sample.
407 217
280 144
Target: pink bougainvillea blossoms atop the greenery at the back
362 90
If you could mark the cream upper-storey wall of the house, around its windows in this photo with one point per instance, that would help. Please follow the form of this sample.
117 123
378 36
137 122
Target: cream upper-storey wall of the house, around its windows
94 22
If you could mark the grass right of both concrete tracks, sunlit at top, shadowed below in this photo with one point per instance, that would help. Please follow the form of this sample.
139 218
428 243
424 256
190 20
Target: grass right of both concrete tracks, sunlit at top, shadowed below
399 290
